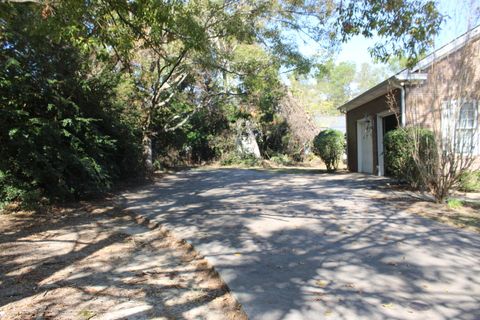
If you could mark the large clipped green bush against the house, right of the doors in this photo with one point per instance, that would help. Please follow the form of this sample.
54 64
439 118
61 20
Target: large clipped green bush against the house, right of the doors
400 150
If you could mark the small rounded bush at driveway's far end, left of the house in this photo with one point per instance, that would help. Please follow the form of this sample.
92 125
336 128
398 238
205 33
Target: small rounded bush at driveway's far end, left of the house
329 145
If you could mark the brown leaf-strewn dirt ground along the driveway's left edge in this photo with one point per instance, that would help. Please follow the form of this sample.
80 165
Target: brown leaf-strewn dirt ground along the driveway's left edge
99 262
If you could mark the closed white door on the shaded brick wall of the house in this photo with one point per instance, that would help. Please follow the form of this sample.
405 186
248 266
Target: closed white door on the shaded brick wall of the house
365 146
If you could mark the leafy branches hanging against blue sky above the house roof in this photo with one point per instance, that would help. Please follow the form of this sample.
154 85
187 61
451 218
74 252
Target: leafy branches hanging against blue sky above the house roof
405 27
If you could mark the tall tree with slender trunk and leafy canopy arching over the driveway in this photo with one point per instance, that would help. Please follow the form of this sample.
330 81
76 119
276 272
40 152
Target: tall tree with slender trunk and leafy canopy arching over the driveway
169 35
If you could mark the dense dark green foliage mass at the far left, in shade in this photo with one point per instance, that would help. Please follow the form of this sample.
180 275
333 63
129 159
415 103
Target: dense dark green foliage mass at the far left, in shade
60 131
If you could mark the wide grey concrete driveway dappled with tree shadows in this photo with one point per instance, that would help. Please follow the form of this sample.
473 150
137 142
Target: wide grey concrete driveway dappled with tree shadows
315 246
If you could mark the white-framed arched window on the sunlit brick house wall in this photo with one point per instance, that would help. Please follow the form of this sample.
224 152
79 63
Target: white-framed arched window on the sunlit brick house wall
466 129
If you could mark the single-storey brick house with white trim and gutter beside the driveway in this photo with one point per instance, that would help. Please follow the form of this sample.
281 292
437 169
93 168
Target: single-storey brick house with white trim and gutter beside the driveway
441 92
